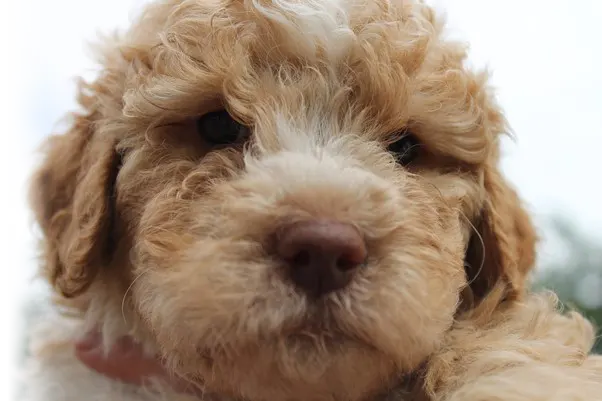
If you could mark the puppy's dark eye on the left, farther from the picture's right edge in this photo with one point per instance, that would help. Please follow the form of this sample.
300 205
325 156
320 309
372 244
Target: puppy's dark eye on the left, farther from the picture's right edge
219 128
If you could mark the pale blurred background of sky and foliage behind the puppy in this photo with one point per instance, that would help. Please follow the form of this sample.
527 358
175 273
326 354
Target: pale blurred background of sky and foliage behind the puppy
545 58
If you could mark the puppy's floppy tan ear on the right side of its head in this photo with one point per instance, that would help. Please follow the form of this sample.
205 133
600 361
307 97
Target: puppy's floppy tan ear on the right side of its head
501 251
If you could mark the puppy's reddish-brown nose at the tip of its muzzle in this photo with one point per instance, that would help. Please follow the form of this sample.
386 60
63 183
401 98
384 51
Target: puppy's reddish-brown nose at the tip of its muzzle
321 255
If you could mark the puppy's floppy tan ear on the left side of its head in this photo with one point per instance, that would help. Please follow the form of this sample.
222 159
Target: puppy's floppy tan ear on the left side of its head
71 196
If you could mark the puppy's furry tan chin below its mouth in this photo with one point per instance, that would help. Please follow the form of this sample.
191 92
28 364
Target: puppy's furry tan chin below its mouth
305 365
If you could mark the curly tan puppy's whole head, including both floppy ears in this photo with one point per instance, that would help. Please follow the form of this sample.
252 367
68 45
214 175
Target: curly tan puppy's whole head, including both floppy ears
293 198
